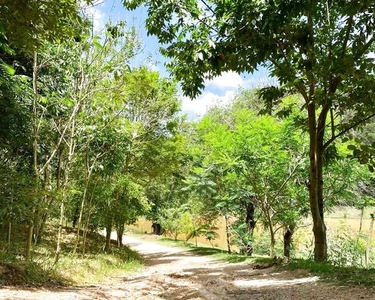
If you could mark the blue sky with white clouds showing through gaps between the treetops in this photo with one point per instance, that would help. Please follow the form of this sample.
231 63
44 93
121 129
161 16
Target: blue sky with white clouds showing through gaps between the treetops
218 90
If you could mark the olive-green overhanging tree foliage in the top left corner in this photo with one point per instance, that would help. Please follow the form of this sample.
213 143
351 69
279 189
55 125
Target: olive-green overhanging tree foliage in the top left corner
26 24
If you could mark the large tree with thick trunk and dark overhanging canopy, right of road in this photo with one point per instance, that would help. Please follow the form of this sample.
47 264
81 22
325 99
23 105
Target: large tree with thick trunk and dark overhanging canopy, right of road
317 49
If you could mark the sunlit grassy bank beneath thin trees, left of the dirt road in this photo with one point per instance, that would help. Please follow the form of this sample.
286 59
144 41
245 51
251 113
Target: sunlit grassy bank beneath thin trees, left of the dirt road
93 267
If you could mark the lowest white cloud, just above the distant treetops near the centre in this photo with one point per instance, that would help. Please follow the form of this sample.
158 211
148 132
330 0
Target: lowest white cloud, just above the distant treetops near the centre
198 107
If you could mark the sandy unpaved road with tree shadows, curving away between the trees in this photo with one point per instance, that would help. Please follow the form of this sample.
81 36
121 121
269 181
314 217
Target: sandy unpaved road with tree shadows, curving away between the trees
173 273
